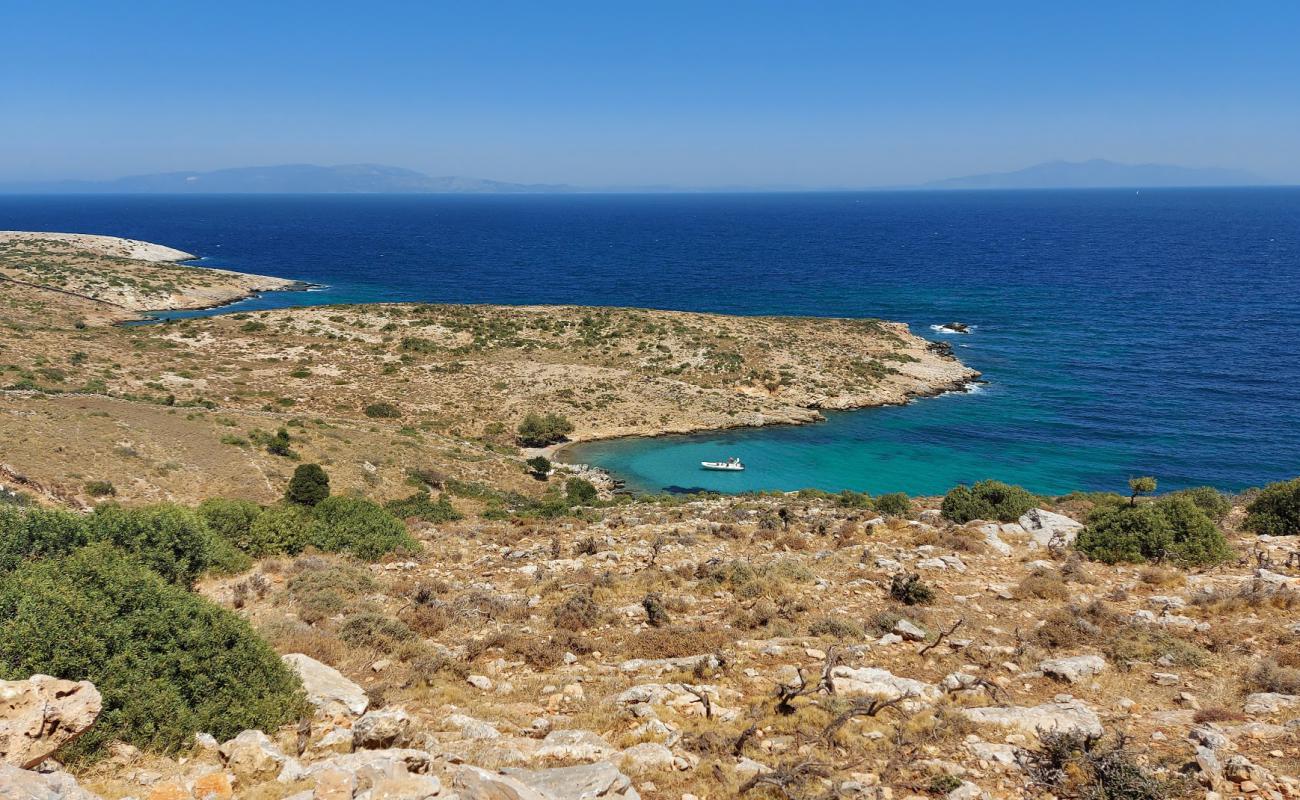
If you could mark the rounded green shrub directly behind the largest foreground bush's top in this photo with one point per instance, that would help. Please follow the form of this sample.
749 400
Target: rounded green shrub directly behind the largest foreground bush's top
170 539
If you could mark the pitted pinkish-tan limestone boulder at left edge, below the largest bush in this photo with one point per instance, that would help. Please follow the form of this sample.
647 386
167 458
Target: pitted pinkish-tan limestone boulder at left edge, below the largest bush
41 715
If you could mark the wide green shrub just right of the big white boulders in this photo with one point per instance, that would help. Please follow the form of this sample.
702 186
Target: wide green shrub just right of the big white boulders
1171 529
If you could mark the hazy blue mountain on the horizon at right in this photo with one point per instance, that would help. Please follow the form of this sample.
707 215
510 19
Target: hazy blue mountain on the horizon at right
1100 174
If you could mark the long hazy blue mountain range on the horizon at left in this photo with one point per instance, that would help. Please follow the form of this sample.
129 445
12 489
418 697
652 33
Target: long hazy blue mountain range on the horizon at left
291 179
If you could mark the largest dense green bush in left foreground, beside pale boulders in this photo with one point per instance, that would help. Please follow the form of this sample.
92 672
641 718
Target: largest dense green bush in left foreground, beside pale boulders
167 663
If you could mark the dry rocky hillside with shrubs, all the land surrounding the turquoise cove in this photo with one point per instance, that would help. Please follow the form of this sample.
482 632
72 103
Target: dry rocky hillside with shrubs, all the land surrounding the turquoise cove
300 556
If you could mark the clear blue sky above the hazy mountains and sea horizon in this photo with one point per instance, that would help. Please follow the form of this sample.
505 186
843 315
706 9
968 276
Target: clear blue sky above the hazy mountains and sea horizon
625 93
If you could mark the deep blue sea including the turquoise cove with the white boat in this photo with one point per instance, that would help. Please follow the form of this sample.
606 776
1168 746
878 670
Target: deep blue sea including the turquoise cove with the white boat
1121 334
